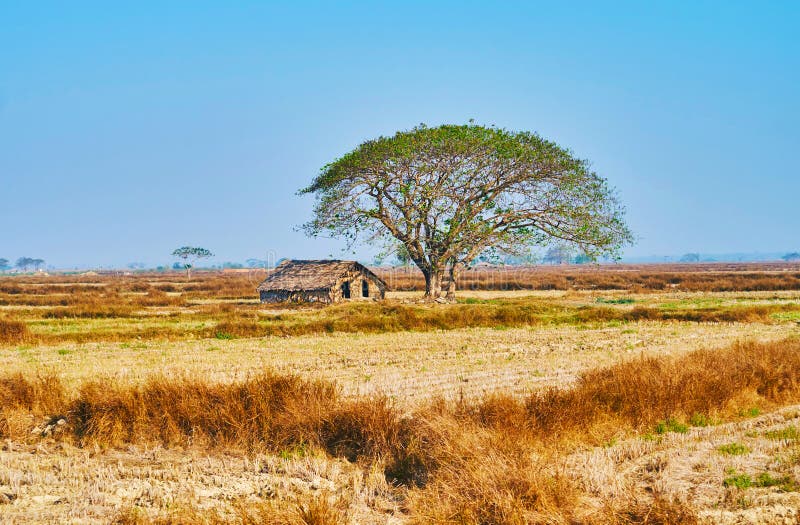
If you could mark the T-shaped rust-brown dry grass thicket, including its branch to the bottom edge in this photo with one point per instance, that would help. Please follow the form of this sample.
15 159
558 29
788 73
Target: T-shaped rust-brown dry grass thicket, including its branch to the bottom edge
461 461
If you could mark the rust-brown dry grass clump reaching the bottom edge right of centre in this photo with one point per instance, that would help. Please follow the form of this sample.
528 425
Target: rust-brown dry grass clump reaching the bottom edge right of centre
481 477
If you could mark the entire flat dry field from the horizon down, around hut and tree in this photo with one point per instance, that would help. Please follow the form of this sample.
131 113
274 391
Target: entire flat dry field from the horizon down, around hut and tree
612 394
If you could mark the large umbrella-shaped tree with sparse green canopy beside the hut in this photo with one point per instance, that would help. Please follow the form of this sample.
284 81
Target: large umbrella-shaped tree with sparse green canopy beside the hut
450 193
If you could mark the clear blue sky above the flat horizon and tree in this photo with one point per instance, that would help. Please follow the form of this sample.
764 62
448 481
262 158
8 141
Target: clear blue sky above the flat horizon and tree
128 129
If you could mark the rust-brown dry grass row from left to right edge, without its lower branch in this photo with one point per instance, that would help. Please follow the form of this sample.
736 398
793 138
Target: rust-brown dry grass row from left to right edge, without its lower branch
272 411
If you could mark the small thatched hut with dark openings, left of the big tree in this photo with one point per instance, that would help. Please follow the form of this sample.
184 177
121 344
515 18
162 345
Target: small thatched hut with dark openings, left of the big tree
320 281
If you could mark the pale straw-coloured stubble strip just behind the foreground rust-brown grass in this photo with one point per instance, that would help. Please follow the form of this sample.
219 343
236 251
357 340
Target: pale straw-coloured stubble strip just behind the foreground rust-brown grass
409 366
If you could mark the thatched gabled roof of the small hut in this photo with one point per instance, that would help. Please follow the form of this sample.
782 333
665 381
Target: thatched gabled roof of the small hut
311 275
